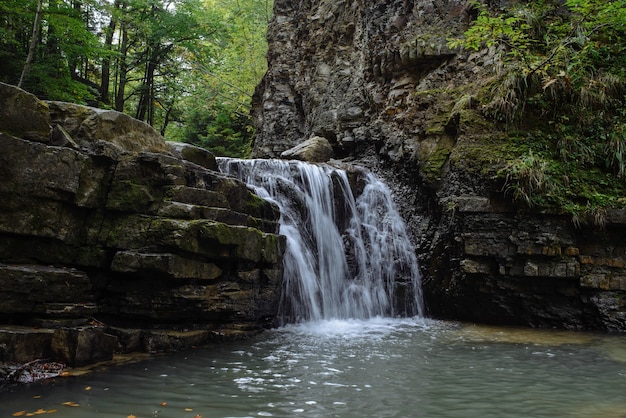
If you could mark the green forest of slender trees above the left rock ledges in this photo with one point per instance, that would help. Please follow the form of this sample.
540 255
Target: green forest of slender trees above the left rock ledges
186 67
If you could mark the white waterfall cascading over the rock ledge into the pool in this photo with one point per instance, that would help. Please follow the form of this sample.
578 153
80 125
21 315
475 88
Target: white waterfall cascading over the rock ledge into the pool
346 256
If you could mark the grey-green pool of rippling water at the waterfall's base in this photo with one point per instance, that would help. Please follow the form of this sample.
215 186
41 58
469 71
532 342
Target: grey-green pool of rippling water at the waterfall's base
349 368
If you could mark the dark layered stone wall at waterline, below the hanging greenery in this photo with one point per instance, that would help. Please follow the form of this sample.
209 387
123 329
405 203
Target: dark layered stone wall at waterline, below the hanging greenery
539 270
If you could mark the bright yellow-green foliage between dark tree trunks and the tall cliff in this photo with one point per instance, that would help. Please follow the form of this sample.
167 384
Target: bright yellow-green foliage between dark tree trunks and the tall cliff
225 127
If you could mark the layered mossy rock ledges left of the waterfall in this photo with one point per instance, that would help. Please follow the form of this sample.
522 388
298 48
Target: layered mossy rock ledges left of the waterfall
112 239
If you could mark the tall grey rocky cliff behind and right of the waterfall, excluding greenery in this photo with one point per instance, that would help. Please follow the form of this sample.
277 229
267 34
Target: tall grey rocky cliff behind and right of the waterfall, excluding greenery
377 80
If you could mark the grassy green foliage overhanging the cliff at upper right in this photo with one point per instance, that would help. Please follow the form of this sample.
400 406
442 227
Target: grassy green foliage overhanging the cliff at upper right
564 84
